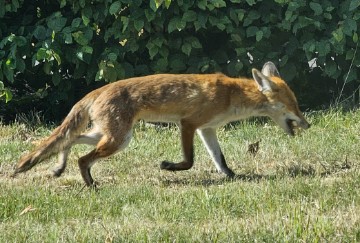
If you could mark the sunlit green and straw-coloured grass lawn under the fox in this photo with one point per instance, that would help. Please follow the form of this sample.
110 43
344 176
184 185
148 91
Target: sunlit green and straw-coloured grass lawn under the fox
302 189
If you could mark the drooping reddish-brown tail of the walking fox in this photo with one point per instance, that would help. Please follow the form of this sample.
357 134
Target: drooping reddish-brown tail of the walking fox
62 137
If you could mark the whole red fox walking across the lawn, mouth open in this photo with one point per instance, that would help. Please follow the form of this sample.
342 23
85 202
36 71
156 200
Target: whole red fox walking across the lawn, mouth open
196 102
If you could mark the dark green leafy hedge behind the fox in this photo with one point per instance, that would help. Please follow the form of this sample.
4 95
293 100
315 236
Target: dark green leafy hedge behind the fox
55 51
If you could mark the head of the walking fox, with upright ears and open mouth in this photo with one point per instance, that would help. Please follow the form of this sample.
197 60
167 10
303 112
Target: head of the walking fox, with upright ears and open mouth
281 105
